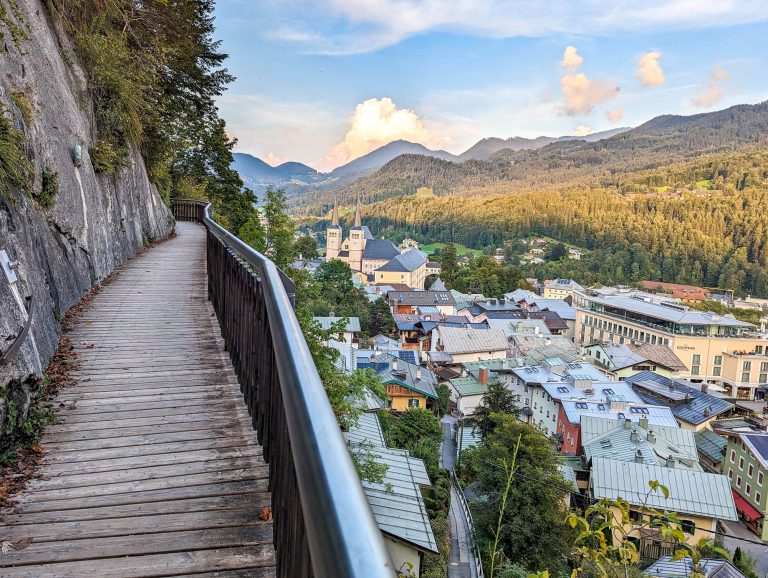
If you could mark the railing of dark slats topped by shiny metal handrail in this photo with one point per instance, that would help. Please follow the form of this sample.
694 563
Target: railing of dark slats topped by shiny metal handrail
334 524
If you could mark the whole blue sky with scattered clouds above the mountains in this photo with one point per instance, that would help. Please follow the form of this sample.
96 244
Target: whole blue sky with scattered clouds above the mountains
325 81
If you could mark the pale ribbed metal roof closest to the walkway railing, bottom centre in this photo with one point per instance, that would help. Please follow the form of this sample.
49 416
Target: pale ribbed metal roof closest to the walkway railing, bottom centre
397 502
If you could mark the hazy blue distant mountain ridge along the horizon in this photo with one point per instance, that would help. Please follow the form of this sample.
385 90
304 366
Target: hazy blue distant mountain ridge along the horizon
297 178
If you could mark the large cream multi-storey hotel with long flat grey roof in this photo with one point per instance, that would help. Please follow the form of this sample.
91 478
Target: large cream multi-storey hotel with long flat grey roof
717 349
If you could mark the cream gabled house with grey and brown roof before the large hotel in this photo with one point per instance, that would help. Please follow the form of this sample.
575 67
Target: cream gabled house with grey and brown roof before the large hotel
620 360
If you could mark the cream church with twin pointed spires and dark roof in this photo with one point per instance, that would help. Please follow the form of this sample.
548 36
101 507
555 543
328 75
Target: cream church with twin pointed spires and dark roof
376 261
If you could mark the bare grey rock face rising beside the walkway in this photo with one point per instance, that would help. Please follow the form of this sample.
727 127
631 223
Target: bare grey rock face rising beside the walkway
96 222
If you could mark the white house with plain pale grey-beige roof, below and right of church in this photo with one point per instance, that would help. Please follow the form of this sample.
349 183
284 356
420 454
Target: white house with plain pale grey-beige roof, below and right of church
469 344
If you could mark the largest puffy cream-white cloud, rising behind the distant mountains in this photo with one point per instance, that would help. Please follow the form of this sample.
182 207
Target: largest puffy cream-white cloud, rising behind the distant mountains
376 122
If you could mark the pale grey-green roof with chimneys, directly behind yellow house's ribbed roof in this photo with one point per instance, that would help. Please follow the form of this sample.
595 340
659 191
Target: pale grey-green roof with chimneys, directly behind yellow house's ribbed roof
616 443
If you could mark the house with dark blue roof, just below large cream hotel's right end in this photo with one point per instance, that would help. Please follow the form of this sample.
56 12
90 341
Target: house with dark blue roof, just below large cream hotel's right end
693 408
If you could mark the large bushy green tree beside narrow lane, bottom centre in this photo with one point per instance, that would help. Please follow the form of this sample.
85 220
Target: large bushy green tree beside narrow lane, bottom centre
533 532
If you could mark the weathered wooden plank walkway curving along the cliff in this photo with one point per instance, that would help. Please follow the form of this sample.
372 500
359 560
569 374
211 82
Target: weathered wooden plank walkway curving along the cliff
153 468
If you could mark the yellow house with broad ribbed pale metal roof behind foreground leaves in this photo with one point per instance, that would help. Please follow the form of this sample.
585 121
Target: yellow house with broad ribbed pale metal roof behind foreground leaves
699 498
